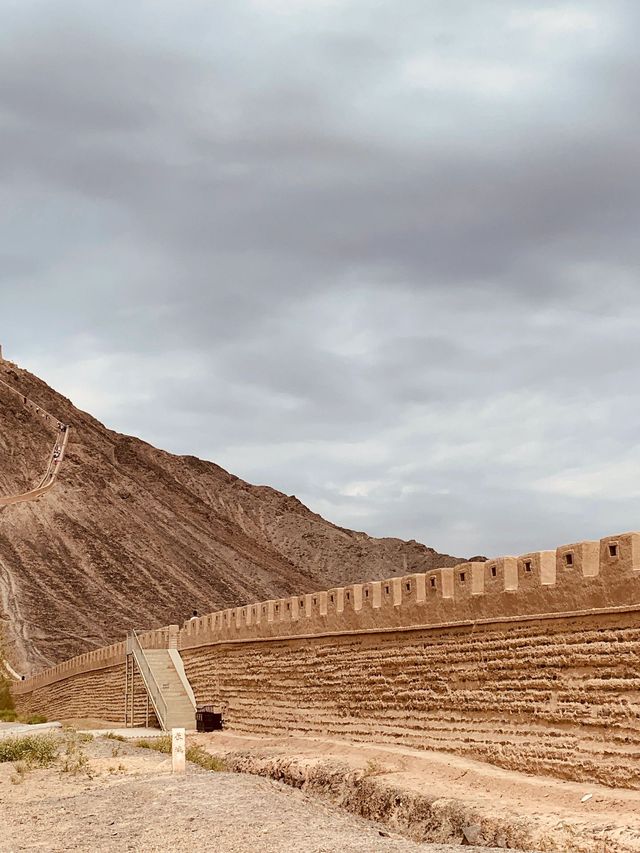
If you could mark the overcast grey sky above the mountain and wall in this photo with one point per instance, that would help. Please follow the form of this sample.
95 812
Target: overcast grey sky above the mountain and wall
380 255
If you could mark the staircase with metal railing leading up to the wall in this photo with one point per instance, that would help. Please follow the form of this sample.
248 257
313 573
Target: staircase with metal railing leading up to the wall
167 687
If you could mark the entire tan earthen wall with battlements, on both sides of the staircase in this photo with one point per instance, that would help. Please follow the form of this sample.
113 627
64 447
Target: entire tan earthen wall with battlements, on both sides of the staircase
531 662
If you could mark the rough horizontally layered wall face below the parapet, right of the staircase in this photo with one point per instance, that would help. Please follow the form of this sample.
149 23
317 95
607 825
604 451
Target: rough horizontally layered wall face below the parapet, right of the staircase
559 696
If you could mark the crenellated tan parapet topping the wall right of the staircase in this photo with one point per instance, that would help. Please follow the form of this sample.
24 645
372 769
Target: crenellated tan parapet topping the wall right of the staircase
583 576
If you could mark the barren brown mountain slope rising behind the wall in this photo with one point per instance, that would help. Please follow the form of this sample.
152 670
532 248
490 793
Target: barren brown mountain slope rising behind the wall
131 536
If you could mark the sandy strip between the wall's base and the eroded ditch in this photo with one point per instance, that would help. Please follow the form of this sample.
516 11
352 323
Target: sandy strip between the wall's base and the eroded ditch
554 814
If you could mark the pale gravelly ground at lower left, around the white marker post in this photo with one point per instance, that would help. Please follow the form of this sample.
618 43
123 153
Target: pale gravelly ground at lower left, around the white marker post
131 802
